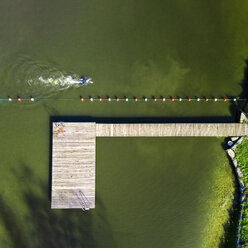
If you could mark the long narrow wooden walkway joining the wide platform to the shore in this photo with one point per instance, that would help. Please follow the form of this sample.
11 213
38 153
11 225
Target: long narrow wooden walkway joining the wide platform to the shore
171 129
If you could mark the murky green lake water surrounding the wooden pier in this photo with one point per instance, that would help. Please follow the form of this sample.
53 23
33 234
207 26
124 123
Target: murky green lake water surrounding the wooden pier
150 192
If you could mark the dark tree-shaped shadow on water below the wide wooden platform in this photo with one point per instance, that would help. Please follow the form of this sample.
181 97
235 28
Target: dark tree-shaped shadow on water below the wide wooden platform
43 227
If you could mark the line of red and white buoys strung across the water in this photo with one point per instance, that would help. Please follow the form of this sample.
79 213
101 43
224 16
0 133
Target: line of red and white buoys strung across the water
126 99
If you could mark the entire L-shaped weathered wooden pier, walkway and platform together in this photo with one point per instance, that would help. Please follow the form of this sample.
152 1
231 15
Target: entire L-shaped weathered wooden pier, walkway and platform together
73 152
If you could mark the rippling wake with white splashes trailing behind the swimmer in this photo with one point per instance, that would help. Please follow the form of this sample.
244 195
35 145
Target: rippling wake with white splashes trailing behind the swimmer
31 78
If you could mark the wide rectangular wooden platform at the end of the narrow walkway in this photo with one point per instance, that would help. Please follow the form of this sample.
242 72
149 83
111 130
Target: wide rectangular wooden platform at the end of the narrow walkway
73 165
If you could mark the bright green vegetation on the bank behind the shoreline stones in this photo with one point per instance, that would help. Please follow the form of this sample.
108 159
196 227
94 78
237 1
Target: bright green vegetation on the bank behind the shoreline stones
242 158
